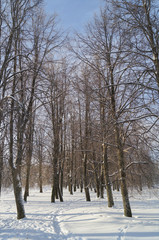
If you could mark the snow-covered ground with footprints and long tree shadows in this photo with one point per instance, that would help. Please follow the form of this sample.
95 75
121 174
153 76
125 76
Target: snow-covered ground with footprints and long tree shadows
76 219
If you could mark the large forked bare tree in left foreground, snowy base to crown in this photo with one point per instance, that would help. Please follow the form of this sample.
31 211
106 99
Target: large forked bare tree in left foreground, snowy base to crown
23 85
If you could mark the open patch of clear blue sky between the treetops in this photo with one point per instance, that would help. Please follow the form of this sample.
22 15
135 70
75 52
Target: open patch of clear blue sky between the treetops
73 14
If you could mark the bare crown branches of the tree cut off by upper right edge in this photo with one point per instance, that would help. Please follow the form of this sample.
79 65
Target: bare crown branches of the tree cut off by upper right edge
141 21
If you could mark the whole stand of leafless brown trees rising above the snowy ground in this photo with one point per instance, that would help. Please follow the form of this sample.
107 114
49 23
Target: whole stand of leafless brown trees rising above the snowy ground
81 110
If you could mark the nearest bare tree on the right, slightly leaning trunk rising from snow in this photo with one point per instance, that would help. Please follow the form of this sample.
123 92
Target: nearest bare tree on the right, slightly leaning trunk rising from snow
104 41
